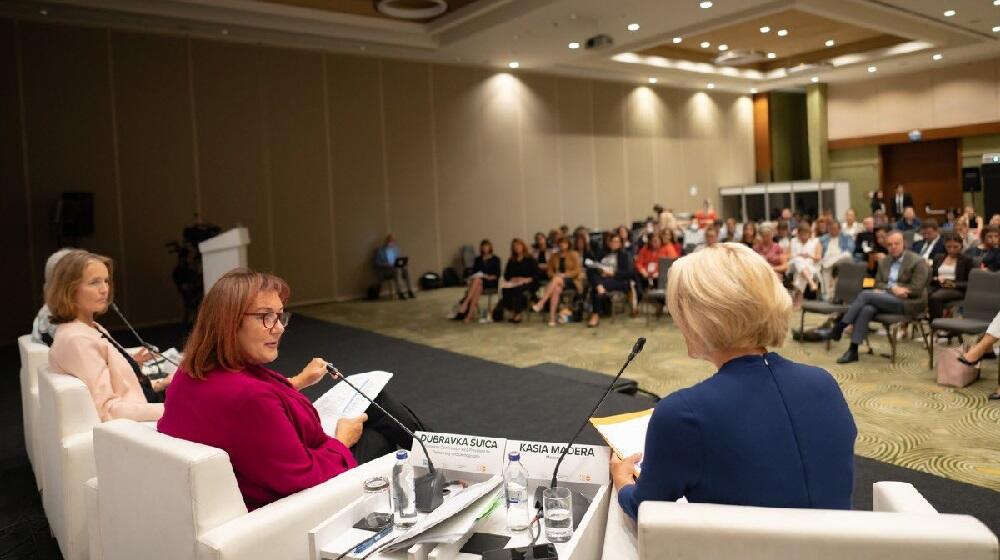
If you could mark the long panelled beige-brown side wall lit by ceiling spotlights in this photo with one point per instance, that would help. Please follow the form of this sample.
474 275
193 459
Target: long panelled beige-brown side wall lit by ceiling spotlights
321 155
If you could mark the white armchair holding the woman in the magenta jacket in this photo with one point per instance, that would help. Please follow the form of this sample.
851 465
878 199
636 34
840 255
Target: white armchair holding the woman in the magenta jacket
159 497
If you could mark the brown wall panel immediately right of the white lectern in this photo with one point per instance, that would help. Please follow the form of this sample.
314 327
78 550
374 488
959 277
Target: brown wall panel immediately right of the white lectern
292 93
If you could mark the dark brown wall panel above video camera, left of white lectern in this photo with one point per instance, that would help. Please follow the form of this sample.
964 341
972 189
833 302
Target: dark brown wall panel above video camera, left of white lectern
156 166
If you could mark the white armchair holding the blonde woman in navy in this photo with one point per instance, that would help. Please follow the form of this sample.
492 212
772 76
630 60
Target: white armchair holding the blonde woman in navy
903 526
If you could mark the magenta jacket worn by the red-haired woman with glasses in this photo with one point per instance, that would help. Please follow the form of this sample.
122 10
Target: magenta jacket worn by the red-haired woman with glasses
270 430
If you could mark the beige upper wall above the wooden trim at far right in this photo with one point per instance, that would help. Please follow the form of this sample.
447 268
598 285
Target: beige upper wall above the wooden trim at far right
941 97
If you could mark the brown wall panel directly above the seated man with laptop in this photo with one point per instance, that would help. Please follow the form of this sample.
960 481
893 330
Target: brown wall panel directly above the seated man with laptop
409 130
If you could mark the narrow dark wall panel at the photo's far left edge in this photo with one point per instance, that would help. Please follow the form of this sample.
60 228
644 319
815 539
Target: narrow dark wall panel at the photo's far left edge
23 289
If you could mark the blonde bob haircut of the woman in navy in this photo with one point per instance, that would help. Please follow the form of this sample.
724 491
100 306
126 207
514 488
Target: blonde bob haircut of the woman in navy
726 297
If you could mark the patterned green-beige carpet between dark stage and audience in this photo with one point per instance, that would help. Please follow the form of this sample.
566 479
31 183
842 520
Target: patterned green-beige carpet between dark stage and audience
903 416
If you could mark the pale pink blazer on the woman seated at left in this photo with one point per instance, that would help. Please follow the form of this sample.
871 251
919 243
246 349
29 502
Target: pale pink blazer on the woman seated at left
79 350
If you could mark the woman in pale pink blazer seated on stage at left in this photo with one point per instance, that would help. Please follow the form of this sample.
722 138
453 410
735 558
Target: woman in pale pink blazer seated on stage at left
81 288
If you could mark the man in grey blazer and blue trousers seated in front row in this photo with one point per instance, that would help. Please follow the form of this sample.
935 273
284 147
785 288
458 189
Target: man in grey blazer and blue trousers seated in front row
899 287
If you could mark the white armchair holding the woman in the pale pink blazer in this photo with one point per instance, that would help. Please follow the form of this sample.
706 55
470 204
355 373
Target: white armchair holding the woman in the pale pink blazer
67 417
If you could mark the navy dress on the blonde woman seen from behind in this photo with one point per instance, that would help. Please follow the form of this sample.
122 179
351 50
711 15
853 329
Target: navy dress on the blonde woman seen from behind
763 431
